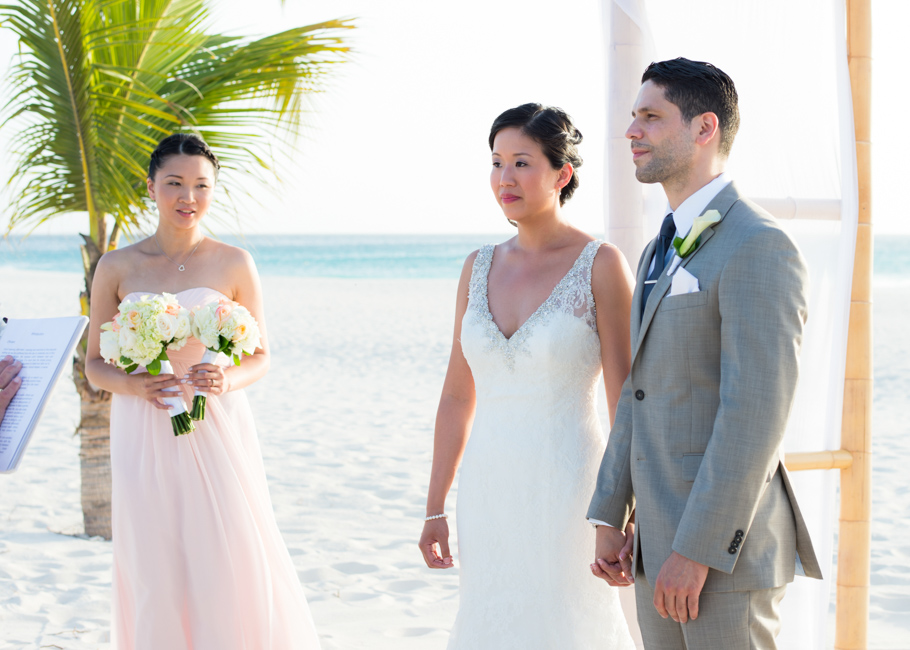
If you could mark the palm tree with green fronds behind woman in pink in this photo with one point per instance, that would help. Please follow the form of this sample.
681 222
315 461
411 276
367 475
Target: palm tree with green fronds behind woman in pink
96 85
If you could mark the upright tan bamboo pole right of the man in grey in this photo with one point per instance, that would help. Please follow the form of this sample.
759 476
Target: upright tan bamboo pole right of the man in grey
854 542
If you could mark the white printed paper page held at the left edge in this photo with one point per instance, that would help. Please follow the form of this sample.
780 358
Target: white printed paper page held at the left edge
41 345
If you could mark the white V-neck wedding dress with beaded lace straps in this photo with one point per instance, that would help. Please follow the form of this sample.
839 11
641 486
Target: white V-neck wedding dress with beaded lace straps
528 474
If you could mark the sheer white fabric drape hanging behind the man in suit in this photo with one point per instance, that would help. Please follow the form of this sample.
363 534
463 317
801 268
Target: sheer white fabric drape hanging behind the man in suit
795 147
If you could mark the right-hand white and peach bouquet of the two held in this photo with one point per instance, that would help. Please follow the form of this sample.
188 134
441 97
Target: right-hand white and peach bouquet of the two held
227 328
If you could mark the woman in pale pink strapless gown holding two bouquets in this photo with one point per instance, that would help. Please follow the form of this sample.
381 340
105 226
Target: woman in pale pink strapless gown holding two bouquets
199 561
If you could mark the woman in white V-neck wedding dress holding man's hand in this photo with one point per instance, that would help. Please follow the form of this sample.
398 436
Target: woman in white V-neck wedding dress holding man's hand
538 318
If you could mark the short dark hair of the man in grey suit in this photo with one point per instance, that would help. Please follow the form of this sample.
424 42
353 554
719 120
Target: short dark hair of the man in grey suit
697 87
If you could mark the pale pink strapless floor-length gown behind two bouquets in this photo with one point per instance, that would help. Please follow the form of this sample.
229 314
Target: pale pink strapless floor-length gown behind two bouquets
199 562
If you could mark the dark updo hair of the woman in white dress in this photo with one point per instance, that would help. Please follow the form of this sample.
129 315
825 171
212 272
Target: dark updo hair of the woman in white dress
552 129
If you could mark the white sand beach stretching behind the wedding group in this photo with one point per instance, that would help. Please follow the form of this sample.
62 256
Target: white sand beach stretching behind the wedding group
345 418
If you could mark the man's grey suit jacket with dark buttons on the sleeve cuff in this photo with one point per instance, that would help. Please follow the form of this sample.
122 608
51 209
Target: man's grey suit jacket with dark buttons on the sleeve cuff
695 447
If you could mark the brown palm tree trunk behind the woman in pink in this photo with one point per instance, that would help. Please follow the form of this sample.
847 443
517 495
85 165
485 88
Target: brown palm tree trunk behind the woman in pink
95 422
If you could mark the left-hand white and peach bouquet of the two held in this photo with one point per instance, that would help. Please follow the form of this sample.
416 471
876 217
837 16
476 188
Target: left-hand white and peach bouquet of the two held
141 334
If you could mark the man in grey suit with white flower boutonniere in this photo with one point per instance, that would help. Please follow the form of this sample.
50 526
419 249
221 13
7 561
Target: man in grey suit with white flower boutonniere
717 320
